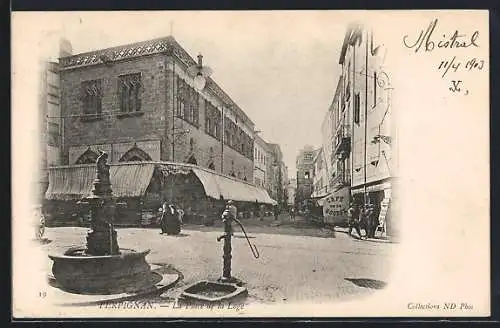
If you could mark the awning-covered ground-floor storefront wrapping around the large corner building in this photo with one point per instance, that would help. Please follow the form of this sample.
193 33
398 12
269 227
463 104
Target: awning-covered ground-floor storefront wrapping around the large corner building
141 187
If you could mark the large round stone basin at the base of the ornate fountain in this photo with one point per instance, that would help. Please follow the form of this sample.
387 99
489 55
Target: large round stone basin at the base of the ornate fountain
76 272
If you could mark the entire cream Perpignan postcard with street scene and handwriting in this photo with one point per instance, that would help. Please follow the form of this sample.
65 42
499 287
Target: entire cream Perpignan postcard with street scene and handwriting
250 164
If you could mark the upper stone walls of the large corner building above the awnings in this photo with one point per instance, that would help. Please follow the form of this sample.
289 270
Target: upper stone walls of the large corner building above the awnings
139 102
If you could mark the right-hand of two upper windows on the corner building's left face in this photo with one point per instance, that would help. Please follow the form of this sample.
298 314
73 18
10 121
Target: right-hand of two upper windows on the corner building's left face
130 86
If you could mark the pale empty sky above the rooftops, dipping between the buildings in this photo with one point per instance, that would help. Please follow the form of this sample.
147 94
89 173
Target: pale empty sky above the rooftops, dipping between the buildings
280 67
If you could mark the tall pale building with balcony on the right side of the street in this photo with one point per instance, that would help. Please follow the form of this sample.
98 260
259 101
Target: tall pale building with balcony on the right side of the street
365 132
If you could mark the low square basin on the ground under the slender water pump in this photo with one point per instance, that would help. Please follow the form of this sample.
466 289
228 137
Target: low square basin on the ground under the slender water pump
210 291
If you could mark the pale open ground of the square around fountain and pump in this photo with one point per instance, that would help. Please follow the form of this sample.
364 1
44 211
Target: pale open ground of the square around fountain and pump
295 264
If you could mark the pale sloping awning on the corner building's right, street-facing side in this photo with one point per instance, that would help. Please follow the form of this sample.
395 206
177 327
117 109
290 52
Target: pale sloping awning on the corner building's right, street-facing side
219 186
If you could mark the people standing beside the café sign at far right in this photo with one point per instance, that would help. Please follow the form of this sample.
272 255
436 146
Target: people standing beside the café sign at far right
363 217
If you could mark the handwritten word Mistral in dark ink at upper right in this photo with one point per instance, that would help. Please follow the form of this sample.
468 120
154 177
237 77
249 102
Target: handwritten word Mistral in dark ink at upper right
426 42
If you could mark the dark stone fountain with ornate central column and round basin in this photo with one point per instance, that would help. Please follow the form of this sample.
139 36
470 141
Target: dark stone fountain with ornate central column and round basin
101 267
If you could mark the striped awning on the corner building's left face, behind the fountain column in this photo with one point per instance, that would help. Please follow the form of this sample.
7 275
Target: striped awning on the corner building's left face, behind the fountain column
76 181
